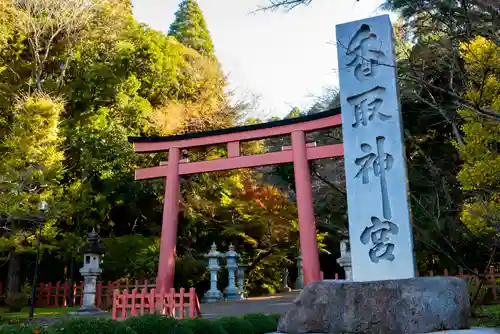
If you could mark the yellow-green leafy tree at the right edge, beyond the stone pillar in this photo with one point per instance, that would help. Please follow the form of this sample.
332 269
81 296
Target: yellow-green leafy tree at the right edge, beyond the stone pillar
480 172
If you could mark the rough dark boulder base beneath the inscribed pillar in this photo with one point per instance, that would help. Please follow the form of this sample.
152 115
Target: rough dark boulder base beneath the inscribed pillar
416 305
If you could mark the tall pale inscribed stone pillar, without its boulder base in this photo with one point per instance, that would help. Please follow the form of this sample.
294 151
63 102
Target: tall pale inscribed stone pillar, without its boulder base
380 230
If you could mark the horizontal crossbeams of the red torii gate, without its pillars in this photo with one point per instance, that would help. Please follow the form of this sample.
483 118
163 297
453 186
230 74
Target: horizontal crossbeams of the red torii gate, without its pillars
233 137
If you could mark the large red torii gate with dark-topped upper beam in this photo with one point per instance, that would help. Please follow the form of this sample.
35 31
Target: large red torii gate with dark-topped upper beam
299 153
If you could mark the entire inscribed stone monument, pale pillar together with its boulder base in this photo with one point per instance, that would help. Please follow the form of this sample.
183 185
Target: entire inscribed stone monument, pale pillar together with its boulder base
384 296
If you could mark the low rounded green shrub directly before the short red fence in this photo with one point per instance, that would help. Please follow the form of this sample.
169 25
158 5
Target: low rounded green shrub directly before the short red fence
153 324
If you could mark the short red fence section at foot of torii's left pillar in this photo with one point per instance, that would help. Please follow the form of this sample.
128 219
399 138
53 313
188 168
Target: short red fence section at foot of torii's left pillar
177 305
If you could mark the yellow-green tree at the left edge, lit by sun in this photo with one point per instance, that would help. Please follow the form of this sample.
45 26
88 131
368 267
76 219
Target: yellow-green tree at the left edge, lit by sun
30 171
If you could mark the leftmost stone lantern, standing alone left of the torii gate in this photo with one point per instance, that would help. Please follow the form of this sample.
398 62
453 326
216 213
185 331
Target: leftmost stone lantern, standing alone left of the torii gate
90 271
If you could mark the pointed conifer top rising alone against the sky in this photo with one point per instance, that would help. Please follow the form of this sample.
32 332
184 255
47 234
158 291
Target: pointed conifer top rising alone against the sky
190 28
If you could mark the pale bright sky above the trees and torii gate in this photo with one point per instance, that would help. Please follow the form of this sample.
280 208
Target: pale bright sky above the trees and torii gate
285 58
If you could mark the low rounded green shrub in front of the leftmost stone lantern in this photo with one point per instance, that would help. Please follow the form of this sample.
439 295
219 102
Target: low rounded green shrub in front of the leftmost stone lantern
90 325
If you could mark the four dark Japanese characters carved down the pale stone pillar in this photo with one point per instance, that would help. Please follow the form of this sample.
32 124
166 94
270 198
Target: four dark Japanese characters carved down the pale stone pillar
365 56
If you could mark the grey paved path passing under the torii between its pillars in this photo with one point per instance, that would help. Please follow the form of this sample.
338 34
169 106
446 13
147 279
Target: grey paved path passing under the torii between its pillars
268 305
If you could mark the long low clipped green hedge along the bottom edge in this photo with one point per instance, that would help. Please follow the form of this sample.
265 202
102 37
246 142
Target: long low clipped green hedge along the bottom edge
253 323
